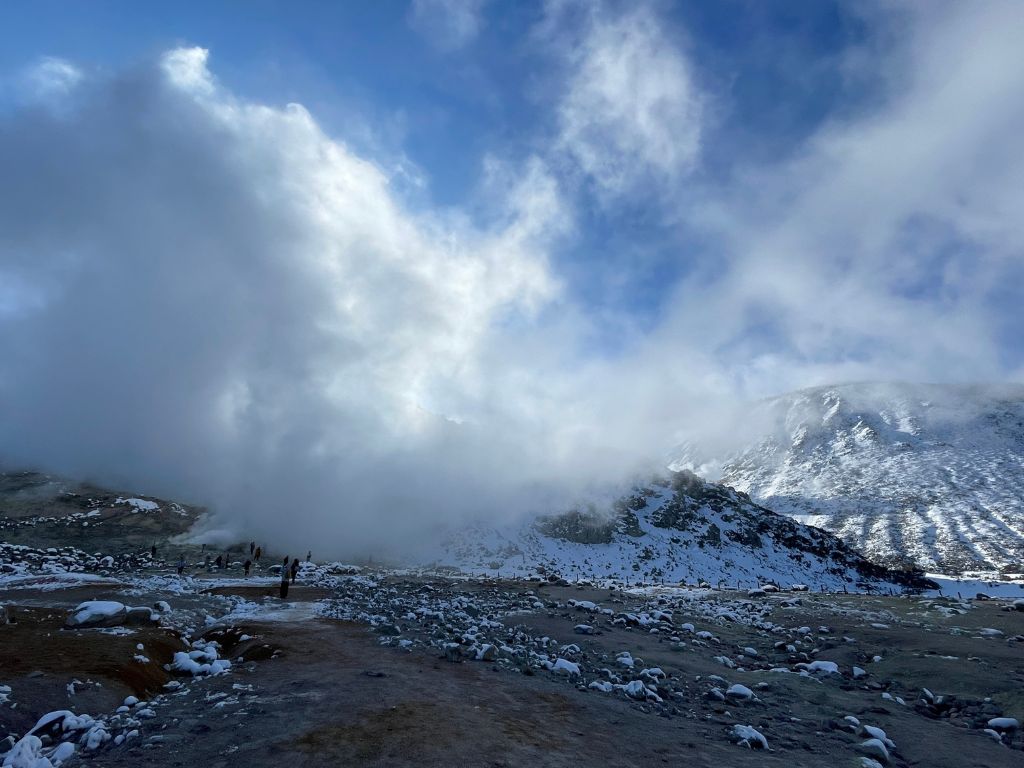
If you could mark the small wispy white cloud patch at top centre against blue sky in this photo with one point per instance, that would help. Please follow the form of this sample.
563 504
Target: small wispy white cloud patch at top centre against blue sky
631 113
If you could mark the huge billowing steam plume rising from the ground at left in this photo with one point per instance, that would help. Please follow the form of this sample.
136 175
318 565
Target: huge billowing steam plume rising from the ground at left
223 303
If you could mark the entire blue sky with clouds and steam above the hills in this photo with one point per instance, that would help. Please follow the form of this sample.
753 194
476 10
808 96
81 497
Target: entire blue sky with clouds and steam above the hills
423 262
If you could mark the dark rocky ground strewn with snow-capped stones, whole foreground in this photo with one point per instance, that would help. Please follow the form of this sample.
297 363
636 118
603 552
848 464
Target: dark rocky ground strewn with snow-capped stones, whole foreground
377 667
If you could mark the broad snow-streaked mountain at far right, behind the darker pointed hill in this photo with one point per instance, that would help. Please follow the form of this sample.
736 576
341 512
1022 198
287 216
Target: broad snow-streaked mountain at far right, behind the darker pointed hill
932 475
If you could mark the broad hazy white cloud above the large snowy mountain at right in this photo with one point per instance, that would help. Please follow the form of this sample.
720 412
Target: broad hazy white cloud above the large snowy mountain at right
886 249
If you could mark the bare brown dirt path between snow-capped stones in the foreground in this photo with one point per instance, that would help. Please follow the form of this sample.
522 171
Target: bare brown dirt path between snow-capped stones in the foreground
337 698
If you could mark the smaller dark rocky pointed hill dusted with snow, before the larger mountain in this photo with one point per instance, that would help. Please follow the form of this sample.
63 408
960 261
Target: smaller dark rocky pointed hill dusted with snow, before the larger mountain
674 529
